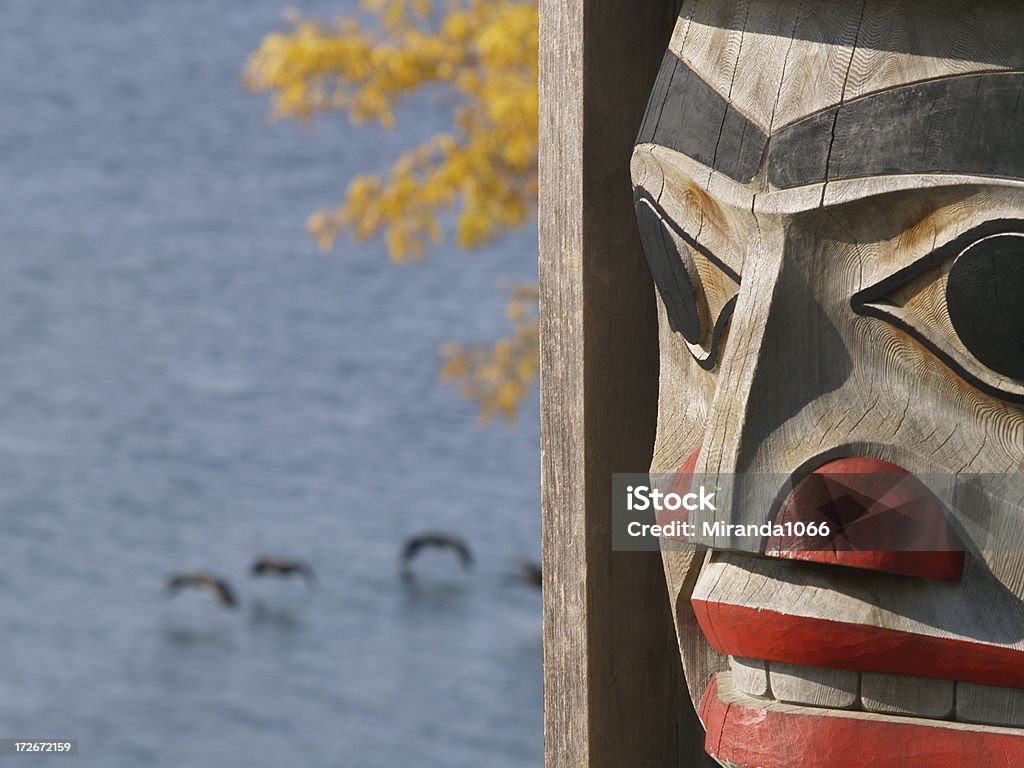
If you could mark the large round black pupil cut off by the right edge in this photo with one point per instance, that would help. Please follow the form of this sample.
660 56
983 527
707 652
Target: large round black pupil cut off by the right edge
986 297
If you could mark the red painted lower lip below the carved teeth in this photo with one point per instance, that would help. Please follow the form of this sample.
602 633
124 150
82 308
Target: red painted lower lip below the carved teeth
746 736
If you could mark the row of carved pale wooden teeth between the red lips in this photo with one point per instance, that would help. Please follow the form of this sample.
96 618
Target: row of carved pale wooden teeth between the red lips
889 695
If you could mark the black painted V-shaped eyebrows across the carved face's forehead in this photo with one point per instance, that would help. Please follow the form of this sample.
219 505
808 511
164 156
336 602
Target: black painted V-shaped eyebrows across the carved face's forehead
964 124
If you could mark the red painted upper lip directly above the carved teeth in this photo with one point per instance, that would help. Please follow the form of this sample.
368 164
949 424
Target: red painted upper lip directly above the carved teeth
755 633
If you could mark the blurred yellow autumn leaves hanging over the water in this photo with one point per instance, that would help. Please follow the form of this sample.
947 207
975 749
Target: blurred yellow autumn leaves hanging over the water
485 169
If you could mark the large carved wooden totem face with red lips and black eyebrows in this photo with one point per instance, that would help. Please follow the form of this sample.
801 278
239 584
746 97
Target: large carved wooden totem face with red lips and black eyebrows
831 197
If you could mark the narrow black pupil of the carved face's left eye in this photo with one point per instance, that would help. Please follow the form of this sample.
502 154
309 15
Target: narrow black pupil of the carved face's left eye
682 303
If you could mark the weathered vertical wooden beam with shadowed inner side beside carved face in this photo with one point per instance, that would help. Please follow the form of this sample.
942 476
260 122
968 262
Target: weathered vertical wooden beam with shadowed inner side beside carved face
614 694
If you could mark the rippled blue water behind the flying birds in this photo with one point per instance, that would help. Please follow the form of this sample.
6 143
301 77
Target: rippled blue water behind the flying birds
186 382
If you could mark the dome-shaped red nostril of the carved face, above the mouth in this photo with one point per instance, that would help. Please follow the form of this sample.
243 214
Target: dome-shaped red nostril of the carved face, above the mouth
881 518
